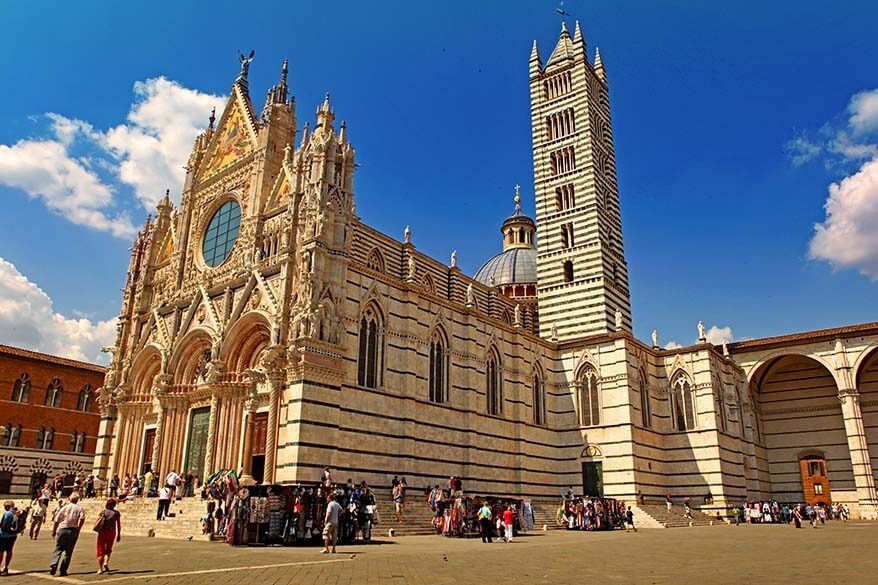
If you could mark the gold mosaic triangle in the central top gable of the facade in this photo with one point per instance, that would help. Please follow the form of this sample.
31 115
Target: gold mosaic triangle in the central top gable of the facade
235 137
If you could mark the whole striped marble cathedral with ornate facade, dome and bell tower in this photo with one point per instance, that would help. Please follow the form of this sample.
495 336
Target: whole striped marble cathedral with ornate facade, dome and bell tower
266 328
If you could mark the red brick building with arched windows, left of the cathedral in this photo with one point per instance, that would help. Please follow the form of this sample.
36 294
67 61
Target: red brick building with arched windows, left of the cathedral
48 417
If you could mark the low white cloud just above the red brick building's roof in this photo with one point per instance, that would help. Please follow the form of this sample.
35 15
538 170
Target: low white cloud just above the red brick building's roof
28 319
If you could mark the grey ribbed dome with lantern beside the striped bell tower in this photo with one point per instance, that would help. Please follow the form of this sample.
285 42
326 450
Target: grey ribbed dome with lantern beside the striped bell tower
517 263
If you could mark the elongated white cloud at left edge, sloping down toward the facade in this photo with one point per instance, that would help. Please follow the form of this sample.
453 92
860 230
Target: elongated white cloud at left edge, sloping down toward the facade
44 169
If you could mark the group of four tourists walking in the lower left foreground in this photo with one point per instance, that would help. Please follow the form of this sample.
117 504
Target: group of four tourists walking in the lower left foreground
67 522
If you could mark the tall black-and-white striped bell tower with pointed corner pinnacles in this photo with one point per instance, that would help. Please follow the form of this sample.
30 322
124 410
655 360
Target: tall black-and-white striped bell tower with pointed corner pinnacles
582 276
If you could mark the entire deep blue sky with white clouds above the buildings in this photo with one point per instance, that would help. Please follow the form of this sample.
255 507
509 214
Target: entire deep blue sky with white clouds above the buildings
728 120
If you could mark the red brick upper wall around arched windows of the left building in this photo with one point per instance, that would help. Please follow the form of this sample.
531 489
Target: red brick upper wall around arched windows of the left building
33 415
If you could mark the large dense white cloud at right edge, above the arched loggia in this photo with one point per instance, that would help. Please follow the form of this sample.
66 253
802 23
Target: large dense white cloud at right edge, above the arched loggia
848 237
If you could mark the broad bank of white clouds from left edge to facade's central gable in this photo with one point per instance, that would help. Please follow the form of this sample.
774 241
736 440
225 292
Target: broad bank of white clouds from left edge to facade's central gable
146 153
